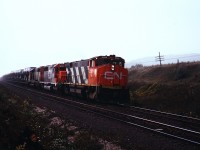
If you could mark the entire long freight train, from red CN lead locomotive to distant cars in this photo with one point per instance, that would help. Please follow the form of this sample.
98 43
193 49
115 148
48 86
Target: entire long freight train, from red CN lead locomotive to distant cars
101 78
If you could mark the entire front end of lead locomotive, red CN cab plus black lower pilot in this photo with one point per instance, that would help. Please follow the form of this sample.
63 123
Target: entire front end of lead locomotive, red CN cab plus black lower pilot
108 78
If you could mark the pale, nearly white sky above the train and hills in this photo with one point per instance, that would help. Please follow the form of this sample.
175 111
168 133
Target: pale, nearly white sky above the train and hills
43 32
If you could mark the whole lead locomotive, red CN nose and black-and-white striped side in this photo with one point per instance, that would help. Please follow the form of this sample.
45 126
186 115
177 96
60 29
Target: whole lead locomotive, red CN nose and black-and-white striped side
101 78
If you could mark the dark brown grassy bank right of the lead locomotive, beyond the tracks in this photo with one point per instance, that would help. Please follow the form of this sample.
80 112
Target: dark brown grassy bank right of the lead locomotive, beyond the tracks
171 88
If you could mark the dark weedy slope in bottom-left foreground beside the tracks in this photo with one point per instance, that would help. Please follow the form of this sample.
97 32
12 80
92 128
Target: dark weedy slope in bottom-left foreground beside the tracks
17 116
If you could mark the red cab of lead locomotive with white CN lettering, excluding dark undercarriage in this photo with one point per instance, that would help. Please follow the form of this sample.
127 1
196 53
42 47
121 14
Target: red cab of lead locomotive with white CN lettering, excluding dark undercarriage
107 71
